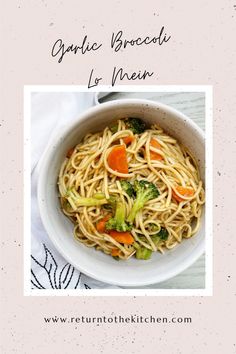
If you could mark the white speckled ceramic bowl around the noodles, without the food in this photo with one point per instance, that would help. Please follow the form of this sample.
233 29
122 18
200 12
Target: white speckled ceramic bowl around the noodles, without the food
60 230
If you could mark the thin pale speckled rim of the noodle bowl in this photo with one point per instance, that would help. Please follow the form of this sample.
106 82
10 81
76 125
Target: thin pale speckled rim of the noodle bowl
45 158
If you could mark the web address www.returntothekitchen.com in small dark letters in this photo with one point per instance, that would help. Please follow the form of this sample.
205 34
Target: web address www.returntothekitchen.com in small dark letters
117 319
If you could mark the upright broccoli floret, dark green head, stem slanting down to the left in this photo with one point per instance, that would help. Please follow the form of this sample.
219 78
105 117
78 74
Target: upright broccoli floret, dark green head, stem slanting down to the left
145 191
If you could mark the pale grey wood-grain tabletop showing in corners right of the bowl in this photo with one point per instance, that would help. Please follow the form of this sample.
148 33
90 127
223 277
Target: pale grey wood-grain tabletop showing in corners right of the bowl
193 105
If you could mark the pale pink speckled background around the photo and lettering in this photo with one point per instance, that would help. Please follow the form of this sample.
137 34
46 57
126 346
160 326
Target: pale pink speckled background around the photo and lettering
202 51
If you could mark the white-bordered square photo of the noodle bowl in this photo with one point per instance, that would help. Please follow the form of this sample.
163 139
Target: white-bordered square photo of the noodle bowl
118 191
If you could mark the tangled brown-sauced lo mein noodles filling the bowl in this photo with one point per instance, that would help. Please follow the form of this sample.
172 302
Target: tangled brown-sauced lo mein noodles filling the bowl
87 171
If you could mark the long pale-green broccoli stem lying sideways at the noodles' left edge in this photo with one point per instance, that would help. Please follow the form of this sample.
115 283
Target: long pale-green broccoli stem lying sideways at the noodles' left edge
76 200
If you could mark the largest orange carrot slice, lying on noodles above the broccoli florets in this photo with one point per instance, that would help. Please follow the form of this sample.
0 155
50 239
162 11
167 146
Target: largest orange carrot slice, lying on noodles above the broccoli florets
117 159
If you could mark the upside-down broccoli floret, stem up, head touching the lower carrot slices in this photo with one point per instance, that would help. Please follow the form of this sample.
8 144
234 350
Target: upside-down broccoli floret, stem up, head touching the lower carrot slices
118 222
